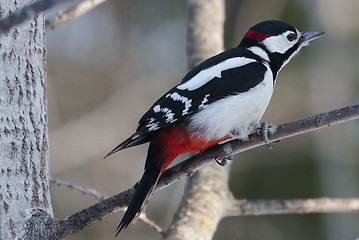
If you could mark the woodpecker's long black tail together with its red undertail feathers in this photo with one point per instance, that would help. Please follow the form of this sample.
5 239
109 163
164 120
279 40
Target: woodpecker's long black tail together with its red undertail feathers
165 146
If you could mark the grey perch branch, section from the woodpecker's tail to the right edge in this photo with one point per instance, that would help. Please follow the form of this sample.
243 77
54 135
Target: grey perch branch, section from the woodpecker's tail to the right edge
193 164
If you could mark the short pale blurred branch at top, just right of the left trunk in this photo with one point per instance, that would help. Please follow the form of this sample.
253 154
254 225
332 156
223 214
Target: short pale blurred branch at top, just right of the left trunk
72 13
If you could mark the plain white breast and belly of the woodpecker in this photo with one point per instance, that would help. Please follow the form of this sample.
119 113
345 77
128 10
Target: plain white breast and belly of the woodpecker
234 113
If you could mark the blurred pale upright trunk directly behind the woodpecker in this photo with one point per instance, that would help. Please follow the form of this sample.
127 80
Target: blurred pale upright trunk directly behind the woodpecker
202 205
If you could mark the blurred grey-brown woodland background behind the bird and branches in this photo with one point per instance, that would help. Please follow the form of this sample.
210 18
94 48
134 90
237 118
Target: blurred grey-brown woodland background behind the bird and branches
106 68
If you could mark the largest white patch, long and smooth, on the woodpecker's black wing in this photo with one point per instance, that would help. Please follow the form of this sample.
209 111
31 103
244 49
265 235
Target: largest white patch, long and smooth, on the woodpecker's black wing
208 74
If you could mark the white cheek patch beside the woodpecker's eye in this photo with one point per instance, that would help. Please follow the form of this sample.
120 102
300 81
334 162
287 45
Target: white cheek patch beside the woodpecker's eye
280 43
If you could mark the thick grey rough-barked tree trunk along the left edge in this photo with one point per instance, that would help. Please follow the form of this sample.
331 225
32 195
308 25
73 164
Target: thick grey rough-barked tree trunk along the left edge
24 148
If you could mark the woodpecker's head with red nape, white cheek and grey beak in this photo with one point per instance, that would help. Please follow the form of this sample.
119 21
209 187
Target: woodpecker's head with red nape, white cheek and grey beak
277 42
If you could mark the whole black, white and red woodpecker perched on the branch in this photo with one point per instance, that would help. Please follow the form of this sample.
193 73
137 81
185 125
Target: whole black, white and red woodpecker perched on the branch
221 98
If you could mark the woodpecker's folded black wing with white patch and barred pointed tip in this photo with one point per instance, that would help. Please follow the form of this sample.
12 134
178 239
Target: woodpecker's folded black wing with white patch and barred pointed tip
220 76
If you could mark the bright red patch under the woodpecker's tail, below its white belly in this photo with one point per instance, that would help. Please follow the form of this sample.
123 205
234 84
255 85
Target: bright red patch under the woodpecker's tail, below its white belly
175 140
